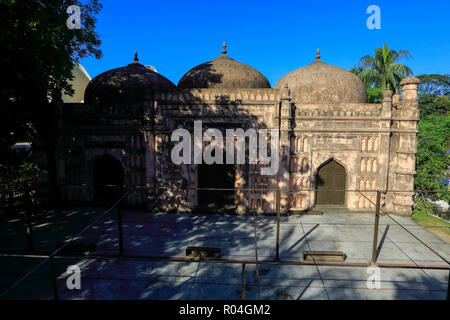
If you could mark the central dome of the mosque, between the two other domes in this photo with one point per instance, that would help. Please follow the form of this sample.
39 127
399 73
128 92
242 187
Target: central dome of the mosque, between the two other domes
224 73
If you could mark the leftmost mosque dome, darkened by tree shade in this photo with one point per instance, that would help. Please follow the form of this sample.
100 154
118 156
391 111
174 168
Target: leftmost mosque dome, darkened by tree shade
131 83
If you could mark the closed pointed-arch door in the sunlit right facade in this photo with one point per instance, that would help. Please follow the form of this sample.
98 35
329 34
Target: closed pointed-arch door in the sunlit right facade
330 183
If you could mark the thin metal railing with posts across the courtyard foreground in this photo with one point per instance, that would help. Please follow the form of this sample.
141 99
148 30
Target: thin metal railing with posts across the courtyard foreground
121 254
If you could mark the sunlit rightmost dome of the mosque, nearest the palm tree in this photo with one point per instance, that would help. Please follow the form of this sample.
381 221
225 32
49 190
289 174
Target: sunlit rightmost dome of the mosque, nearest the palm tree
319 82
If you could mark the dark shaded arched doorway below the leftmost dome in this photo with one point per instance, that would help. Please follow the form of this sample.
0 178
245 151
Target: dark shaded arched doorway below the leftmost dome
107 173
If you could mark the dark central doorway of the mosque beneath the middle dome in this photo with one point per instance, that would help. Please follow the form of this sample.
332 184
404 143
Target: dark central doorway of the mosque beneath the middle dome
221 176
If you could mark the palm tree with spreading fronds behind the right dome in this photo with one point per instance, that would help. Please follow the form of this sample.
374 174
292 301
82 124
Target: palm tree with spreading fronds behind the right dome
383 69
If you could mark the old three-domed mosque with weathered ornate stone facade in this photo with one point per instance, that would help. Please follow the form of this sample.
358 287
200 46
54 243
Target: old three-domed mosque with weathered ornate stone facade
332 142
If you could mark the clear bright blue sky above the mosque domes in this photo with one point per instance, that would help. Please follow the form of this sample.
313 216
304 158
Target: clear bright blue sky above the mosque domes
275 37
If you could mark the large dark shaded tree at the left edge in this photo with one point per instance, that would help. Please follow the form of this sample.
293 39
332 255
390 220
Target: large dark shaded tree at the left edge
37 56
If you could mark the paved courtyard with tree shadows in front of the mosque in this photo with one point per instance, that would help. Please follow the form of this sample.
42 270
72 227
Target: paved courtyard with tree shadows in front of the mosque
167 235
